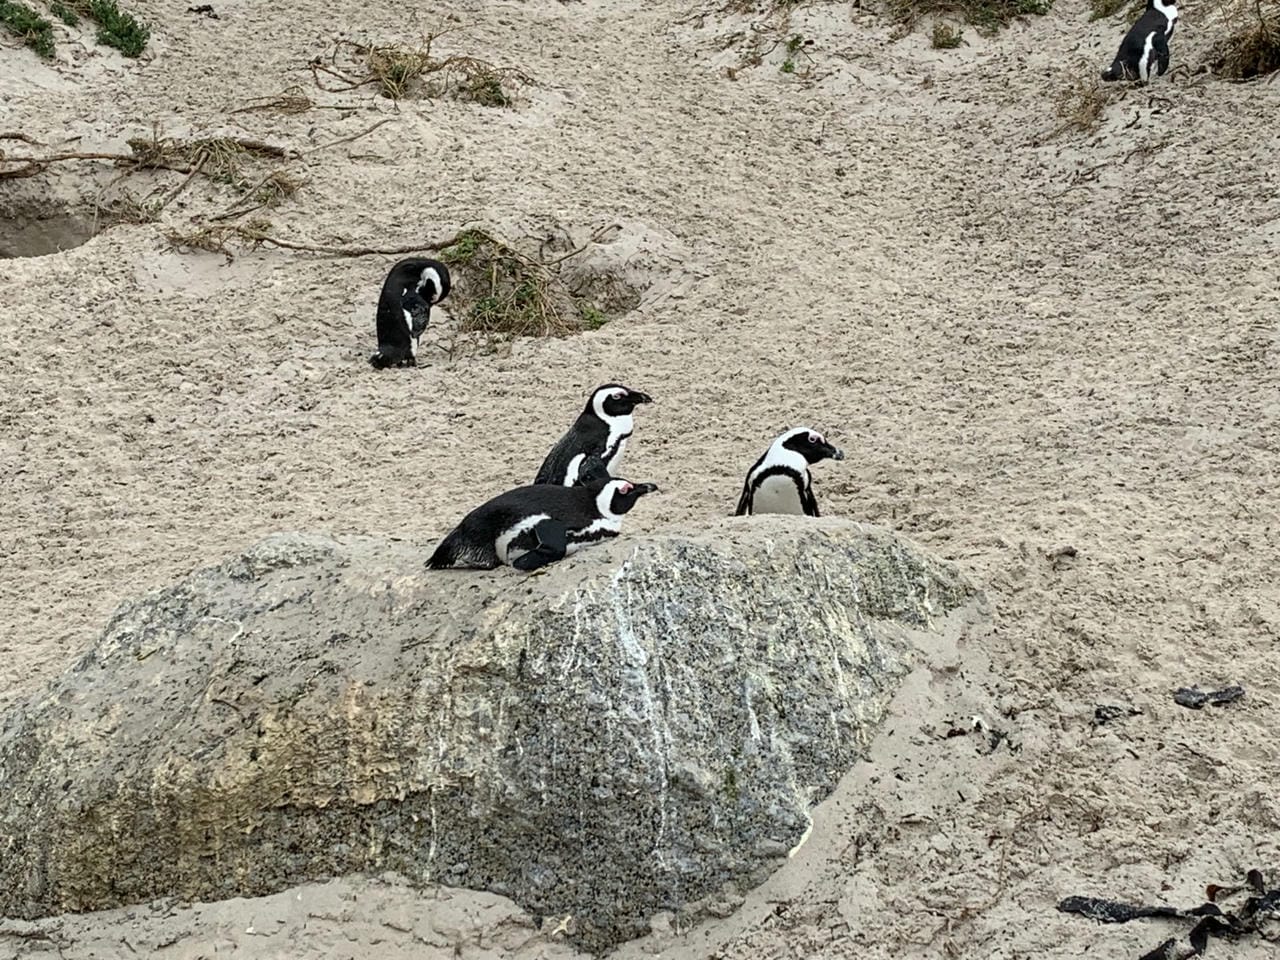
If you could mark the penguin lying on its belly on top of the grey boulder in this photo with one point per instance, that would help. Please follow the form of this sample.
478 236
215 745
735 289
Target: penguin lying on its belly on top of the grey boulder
532 527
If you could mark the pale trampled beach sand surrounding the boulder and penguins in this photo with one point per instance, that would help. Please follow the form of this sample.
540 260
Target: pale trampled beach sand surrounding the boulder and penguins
1022 344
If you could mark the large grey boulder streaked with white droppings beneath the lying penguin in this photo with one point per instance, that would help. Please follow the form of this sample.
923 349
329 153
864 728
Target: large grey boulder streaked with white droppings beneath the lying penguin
623 735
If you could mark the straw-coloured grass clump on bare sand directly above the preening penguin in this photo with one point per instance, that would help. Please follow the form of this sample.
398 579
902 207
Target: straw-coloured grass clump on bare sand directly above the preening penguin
401 72
